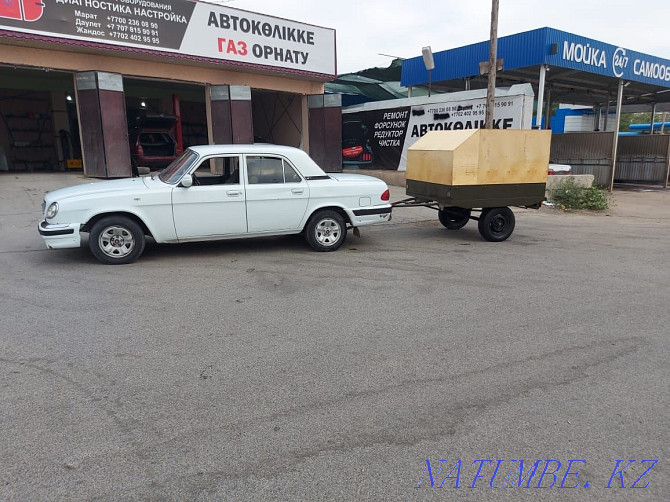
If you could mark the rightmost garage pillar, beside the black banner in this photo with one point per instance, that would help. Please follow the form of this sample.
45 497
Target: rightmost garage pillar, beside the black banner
325 131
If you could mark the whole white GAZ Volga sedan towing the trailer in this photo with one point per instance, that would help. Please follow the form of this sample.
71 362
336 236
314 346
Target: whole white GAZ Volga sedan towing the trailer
215 192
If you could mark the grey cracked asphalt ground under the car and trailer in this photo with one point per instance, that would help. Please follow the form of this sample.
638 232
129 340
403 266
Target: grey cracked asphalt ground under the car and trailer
260 370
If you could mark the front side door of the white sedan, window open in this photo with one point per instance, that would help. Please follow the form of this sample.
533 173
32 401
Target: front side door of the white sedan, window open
215 205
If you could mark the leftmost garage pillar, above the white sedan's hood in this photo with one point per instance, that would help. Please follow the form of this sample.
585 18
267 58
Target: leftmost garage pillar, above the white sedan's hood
103 127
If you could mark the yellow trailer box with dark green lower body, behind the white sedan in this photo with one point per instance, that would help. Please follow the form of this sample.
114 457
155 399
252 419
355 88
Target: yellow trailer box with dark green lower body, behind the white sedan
480 167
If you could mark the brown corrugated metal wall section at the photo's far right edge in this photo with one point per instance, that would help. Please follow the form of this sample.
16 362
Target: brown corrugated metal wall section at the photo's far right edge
642 158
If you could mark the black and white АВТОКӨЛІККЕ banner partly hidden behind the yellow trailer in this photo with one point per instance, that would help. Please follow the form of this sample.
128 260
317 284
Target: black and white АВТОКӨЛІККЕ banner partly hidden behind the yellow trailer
381 132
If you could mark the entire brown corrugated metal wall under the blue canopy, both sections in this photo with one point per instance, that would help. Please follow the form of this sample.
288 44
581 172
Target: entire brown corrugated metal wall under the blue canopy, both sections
639 158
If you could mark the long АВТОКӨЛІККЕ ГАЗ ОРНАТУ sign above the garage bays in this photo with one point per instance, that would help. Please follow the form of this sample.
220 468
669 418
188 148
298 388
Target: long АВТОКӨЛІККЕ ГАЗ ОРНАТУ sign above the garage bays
182 27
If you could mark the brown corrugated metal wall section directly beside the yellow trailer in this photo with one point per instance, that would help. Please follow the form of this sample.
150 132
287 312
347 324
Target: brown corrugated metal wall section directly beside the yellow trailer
587 153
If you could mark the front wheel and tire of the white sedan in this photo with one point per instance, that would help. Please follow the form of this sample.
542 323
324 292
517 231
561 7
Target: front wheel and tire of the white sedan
116 240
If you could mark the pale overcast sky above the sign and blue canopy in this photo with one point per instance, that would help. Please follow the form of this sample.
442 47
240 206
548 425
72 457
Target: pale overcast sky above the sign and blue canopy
367 28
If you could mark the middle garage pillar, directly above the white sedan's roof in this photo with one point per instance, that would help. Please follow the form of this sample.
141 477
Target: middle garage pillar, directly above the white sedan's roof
231 115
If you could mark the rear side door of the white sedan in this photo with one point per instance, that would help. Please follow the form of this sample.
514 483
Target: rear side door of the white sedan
277 196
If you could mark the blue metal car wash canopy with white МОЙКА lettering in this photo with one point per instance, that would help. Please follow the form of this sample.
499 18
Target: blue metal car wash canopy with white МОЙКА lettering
580 70
